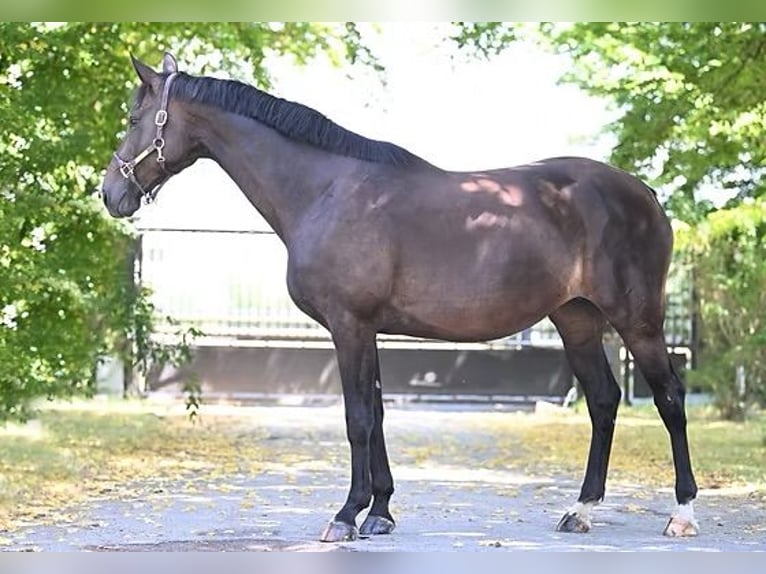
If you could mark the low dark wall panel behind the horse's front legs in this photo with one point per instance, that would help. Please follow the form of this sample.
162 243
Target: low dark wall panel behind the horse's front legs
523 372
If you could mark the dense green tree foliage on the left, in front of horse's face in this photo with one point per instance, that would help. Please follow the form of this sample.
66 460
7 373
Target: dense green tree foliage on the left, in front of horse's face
66 294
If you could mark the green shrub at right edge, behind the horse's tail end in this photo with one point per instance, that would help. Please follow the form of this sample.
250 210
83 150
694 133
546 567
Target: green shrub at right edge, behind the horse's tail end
727 253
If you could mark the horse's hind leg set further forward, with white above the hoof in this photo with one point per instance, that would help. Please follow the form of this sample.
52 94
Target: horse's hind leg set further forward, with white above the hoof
581 326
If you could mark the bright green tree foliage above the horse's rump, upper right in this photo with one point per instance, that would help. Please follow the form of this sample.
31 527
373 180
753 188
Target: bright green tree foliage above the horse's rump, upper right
689 97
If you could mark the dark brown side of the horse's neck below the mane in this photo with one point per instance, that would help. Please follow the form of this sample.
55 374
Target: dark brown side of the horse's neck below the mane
279 177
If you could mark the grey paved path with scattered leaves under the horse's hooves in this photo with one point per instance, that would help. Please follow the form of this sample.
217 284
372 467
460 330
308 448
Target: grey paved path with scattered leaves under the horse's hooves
444 500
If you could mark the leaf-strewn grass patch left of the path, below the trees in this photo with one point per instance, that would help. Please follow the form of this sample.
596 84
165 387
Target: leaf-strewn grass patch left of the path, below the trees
70 454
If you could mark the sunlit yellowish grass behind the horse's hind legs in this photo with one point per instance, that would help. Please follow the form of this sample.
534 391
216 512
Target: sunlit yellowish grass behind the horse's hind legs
724 454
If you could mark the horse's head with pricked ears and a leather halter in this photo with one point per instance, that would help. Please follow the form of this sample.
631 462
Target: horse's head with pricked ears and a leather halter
155 145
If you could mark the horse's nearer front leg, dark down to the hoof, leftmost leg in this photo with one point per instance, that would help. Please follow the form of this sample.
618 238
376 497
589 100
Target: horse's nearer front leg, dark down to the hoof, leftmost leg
355 348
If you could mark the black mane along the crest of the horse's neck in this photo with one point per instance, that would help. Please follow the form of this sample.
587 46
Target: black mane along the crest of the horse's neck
291 119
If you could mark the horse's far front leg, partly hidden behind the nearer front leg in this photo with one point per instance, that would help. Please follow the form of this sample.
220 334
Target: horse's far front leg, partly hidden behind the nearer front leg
379 519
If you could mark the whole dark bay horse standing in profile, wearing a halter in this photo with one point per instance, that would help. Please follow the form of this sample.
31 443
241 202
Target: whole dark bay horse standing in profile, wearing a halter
381 241
